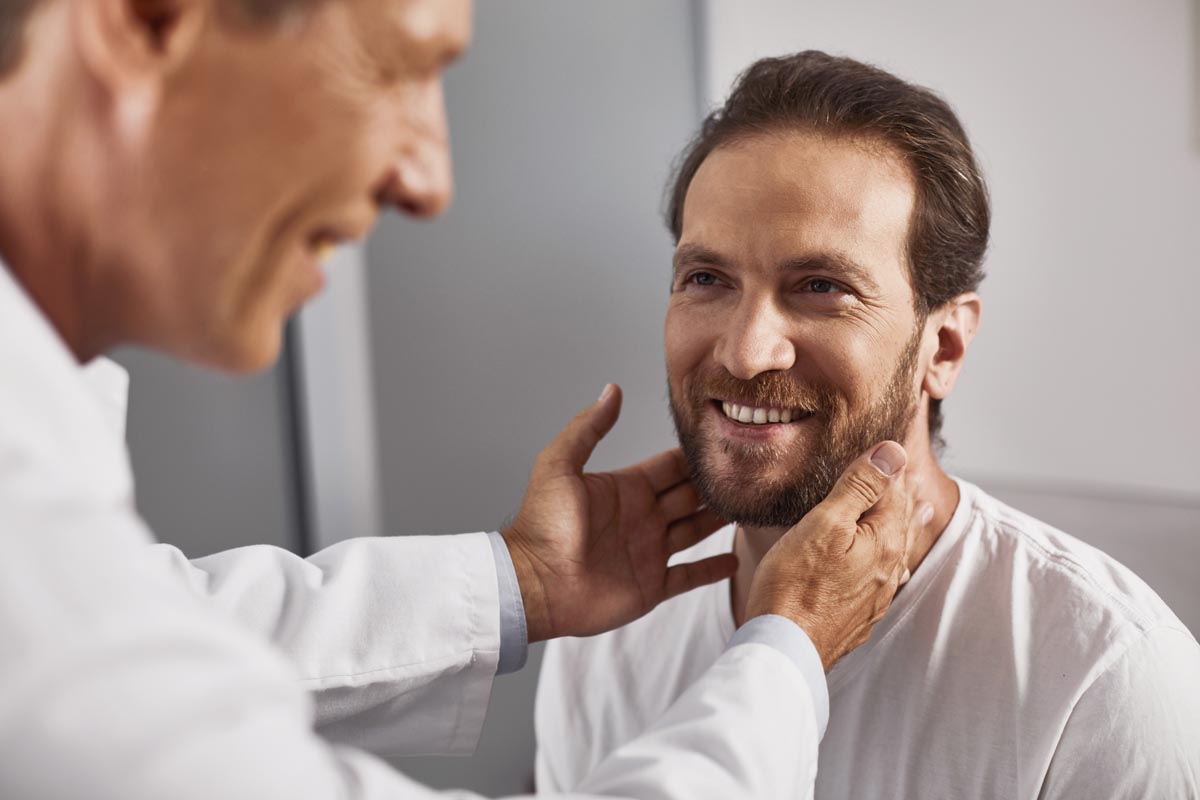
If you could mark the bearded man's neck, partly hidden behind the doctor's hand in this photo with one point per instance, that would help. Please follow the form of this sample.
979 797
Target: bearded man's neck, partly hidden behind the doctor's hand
752 544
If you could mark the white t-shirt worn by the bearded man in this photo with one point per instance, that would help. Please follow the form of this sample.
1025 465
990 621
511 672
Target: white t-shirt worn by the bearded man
1018 663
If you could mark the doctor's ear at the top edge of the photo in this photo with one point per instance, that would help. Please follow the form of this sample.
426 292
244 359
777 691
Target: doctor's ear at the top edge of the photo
131 47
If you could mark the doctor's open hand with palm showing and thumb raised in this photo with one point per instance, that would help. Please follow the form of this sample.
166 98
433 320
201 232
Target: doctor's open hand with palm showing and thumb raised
591 549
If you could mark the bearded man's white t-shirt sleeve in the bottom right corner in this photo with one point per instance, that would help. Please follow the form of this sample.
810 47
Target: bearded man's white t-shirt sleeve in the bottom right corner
1136 731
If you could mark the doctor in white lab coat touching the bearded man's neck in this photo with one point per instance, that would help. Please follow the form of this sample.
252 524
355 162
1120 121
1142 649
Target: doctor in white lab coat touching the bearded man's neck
172 173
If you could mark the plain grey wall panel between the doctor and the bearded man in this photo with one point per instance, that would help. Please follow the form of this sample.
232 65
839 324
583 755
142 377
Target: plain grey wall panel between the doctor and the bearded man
549 278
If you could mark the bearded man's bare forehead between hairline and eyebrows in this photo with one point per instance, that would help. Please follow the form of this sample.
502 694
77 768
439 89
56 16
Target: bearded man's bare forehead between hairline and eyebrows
784 195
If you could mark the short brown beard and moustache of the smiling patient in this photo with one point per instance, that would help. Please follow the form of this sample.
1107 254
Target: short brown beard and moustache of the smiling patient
739 489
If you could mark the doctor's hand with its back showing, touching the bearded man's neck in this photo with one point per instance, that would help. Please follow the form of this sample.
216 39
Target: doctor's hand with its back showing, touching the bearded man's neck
836 573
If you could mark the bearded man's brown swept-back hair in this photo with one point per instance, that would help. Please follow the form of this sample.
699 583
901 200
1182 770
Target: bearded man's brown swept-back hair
820 93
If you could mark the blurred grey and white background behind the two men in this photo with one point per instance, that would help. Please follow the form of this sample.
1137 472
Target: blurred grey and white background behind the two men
445 356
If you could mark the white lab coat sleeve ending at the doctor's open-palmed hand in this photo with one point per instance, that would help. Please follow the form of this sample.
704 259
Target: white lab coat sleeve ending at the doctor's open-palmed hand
397 639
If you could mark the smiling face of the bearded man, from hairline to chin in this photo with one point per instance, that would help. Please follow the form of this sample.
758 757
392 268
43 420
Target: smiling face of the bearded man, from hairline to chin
791 335
